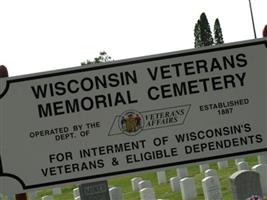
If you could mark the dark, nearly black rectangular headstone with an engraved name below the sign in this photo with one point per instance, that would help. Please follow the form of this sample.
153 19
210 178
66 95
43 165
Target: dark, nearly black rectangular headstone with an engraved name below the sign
94 191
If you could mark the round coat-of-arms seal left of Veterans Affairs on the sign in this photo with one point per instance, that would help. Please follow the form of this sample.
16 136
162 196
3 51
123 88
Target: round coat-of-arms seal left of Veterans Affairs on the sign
131 122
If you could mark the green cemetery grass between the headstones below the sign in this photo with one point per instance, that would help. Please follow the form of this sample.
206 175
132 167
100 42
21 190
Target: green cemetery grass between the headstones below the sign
162 191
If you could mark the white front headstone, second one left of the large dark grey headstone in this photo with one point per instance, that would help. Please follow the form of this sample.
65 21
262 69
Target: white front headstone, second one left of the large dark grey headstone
188 188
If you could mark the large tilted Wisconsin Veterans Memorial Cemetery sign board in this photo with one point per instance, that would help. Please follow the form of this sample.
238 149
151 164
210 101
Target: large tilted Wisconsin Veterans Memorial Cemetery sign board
92 123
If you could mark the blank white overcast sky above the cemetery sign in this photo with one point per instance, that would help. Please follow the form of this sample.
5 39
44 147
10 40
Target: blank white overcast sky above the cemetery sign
44 35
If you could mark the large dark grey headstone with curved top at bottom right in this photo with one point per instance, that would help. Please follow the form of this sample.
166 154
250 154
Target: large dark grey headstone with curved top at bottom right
245 184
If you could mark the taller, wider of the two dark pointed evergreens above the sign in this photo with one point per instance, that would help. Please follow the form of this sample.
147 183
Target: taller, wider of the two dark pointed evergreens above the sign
203 35
